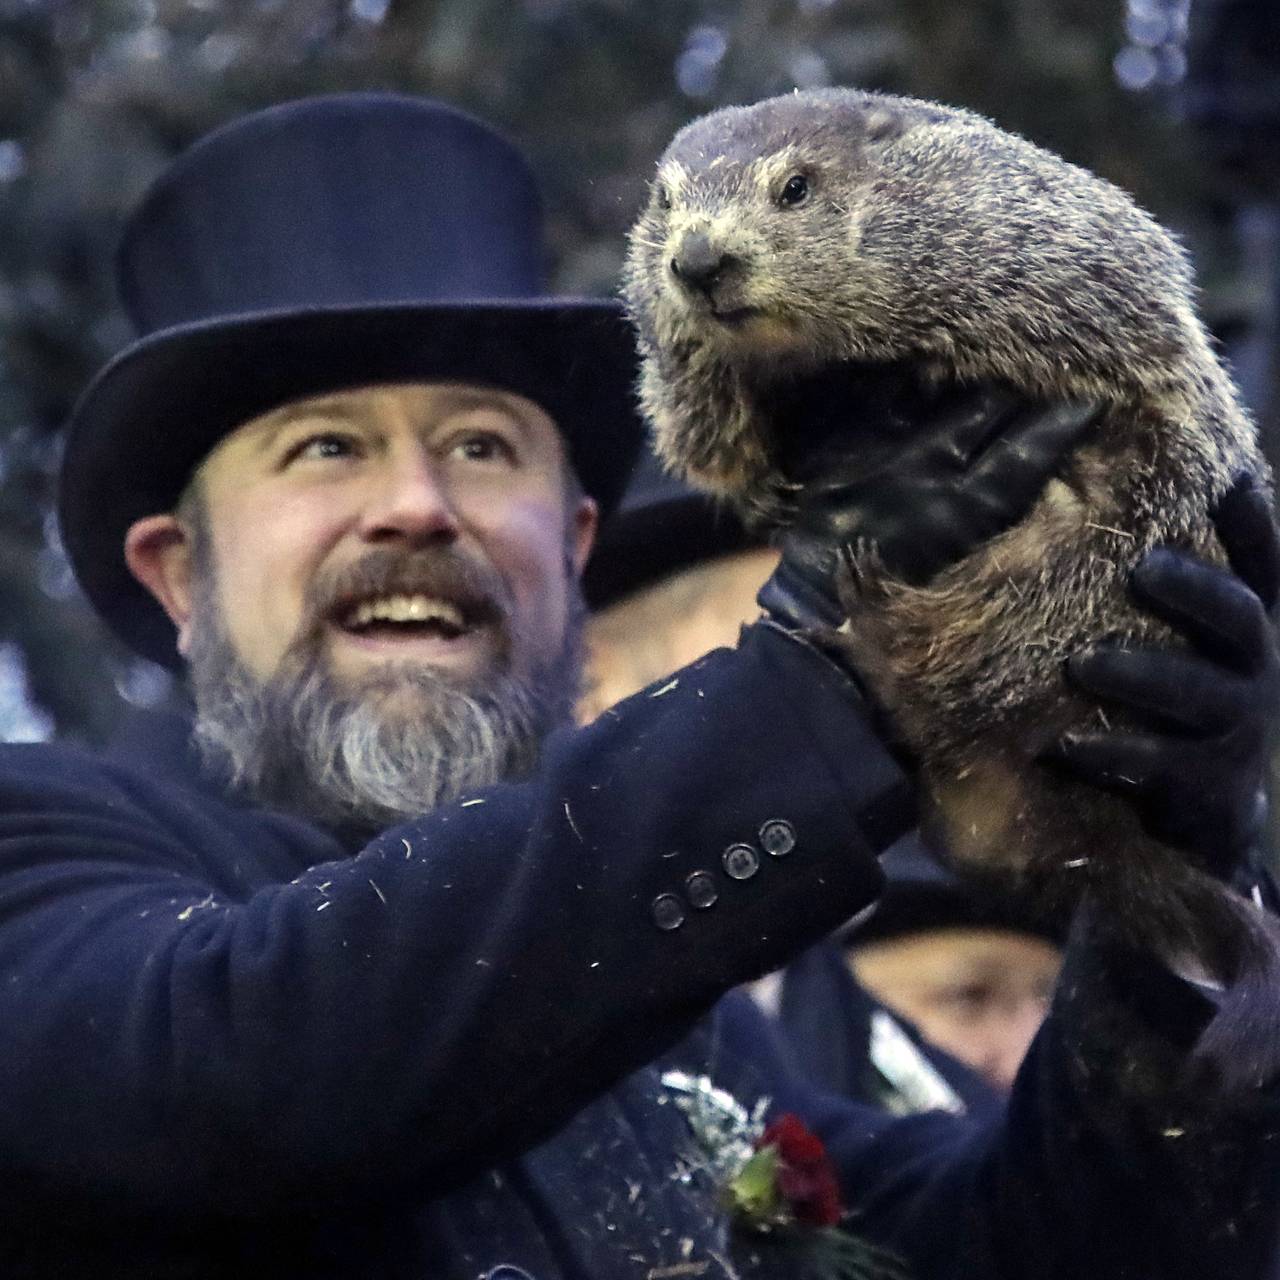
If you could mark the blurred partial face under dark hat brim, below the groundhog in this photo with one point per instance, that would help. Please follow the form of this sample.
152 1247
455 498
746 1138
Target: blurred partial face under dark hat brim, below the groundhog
979 994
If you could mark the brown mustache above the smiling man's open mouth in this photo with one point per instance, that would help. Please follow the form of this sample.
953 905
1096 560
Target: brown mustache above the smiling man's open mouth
476 588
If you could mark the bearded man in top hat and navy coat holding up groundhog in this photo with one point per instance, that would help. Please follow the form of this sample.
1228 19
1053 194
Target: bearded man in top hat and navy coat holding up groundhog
268 1034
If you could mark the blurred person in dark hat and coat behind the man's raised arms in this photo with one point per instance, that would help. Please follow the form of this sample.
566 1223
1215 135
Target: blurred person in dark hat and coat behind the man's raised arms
967 976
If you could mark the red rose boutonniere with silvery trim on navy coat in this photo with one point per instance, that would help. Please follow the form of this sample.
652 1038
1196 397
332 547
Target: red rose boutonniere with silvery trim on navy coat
779 1183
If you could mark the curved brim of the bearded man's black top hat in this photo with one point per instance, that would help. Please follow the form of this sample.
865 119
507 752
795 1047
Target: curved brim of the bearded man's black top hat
158 409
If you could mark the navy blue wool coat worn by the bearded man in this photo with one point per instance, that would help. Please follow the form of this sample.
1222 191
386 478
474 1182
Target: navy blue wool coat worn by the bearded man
235 1048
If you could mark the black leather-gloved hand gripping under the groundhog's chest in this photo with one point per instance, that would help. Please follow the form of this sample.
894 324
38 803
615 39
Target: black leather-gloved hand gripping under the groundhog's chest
968 470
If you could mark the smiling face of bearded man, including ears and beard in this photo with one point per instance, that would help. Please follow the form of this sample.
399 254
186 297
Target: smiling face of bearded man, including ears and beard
377 593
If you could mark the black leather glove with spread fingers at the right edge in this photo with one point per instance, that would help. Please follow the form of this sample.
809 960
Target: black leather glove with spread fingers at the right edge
1197 776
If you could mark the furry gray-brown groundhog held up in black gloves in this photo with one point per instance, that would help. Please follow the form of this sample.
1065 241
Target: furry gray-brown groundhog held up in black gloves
848 234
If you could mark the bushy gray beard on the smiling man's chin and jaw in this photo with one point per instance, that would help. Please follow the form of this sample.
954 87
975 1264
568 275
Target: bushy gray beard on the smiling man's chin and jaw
331 752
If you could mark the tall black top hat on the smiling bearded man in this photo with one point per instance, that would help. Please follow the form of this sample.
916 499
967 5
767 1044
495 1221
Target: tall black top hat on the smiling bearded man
331 243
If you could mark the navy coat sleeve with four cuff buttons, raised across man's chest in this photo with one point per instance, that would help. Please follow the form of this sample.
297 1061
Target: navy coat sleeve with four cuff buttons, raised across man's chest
447 996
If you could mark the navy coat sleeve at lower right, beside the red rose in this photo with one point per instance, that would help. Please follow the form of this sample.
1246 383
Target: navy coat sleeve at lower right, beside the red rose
1112 1160
